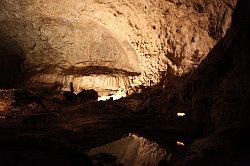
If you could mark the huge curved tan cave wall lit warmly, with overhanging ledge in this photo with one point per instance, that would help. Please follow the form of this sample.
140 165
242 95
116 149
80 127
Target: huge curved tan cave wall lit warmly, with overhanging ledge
106 45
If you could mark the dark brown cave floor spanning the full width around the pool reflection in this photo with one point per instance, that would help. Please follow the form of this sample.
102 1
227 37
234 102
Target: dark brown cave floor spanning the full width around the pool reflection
49 130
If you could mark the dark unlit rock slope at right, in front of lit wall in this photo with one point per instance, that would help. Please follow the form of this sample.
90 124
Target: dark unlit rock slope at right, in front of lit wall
216 93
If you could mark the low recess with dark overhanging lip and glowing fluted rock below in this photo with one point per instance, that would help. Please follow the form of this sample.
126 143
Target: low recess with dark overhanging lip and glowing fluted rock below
105 80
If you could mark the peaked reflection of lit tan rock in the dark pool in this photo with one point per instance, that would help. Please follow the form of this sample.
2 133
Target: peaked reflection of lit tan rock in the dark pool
130 151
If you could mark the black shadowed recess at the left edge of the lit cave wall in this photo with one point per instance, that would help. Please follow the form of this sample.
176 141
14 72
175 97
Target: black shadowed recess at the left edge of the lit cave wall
11 63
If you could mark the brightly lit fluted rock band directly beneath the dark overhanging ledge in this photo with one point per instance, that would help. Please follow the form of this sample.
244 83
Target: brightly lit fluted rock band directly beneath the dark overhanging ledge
104 84
